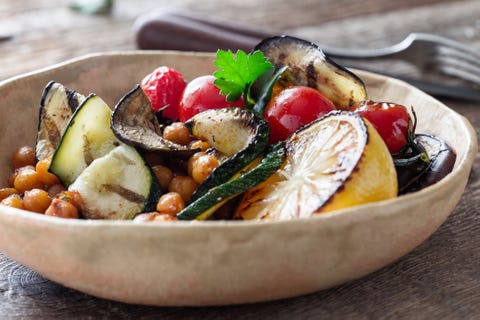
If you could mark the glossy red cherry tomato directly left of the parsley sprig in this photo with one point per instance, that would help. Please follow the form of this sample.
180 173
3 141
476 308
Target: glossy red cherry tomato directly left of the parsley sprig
201 94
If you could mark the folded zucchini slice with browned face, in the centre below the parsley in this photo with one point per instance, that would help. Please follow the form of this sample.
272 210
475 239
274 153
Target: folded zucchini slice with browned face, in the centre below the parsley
238 133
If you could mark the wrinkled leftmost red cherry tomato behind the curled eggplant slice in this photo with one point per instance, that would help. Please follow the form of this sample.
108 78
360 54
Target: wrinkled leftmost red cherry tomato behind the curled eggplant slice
164 87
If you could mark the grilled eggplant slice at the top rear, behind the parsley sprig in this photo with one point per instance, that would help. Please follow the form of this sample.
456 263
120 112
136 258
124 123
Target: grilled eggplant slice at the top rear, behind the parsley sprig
309 66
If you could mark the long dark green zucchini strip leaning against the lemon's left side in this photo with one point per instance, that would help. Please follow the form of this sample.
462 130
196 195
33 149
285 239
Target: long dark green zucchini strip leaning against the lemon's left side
207 204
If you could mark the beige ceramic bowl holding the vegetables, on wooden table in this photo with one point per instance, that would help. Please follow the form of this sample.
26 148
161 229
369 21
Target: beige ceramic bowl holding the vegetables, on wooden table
215 263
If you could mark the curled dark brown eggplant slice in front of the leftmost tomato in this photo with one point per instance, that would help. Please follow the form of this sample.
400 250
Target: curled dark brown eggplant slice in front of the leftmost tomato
134 122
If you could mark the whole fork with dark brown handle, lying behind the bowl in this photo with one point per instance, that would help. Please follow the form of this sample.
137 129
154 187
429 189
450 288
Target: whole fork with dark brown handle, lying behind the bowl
433 56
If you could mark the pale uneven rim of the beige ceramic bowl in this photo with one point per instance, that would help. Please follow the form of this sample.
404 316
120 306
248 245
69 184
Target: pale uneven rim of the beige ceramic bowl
345 215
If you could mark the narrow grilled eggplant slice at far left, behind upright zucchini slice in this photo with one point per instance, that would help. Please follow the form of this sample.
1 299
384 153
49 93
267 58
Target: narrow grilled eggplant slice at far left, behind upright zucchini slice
56 107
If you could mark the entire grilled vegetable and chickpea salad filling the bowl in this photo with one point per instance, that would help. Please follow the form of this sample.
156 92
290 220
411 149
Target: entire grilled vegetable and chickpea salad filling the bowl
280 133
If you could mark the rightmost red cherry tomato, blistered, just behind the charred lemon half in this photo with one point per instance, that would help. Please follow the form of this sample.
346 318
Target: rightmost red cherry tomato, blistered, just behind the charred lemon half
390 119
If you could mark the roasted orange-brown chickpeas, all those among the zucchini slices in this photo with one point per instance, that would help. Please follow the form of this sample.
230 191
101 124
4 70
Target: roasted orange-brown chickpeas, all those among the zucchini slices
32 187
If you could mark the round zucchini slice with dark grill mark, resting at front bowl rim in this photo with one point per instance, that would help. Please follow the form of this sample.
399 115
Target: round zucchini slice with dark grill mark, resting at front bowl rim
117 186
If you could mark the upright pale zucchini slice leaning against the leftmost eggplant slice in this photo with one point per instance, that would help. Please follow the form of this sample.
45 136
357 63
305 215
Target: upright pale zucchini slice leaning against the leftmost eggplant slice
88 136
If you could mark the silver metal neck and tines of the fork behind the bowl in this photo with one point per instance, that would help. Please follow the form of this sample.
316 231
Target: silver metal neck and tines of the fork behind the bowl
433 55
